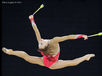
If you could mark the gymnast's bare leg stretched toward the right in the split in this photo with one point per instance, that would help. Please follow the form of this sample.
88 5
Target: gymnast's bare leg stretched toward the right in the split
66 63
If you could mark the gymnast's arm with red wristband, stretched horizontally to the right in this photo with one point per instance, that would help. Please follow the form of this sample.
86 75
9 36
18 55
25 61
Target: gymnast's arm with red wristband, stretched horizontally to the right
69 37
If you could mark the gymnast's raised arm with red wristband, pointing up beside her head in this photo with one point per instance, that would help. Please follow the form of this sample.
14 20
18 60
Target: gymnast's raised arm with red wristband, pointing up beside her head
35 28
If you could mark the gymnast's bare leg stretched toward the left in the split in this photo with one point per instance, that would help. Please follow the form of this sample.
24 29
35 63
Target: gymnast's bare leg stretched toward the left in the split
25 56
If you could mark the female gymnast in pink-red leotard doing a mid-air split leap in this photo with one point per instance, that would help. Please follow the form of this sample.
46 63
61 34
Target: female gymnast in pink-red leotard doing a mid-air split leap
50 50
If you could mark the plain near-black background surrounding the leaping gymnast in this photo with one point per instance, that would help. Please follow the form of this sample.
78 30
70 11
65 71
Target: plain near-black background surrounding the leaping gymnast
57 18
